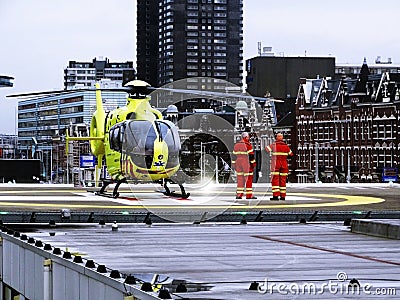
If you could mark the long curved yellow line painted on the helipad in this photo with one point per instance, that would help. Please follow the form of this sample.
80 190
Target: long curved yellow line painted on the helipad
347 200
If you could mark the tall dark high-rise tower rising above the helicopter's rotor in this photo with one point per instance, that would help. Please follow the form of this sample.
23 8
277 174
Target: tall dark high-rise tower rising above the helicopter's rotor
178 39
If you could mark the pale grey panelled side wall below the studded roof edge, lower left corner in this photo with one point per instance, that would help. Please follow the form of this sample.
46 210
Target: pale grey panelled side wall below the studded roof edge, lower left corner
23 270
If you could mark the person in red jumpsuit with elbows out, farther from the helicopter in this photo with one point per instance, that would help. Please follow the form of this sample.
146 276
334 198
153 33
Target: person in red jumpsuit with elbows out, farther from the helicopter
279 152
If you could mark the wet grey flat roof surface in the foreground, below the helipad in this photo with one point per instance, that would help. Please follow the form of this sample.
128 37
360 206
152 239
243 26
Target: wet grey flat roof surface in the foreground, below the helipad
219 261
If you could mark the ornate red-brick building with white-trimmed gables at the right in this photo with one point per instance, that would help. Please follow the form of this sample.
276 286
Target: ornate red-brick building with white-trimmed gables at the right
347 129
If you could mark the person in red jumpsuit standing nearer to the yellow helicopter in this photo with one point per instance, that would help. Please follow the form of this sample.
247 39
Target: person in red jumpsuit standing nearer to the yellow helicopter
244 163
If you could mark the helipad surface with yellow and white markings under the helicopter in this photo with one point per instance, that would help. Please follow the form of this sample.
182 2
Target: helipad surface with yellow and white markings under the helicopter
216 197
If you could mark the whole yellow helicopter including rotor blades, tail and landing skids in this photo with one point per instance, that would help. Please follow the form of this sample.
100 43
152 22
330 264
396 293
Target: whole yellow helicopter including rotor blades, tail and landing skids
134 141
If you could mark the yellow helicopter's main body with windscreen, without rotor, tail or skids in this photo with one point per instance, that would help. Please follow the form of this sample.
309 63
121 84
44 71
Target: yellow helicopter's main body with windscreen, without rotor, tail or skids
147 158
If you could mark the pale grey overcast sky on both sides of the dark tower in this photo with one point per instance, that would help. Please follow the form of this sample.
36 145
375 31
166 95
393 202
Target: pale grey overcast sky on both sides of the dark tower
39 37
